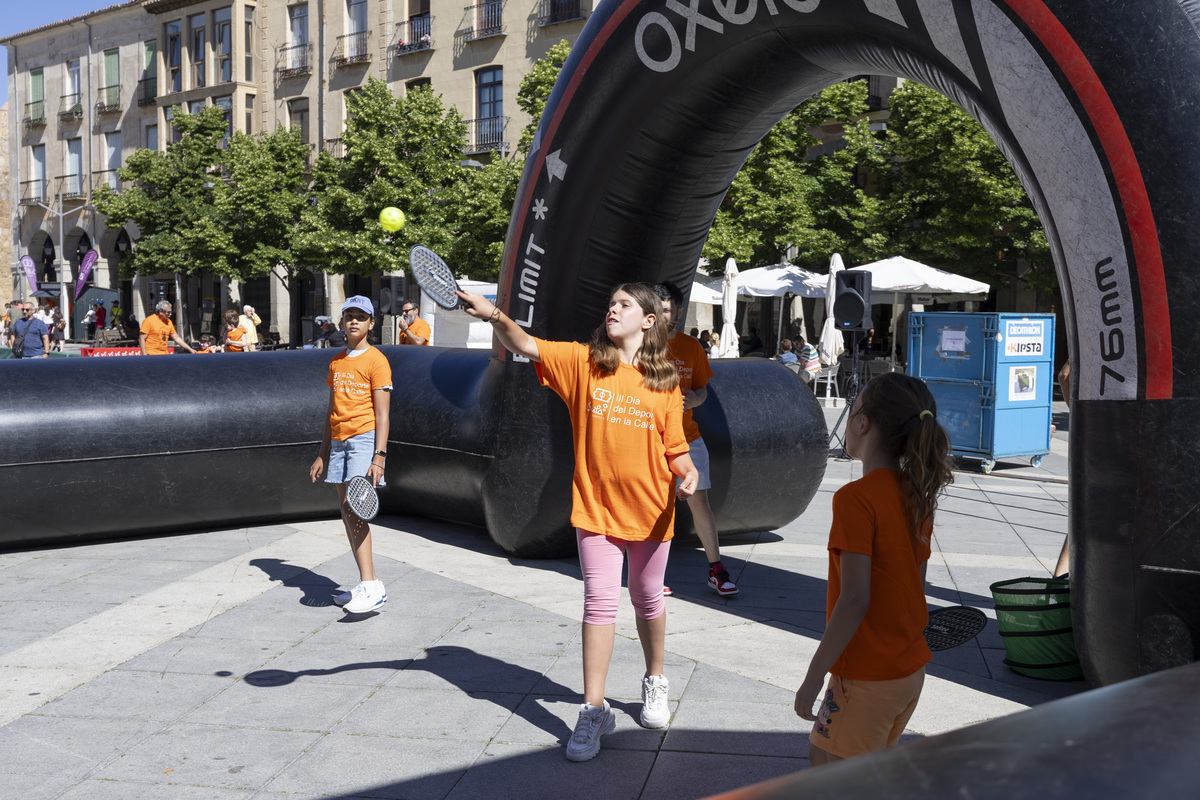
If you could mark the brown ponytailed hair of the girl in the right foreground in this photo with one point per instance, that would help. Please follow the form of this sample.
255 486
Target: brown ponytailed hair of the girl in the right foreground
897 405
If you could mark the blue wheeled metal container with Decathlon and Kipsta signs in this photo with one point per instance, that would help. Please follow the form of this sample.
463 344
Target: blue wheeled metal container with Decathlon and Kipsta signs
993 377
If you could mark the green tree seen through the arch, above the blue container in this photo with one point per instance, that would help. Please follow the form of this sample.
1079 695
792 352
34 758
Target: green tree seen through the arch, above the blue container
951 200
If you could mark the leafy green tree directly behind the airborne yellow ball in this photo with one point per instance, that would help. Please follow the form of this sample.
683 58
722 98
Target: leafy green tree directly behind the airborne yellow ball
403 153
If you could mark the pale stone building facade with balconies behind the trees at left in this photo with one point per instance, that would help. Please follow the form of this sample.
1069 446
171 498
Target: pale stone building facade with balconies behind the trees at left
85 93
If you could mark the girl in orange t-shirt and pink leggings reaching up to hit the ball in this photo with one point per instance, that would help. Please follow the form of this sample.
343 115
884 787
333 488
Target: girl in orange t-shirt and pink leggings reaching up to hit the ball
627 419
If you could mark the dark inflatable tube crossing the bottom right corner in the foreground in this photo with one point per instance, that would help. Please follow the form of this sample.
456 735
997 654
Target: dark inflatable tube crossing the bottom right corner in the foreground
1137 739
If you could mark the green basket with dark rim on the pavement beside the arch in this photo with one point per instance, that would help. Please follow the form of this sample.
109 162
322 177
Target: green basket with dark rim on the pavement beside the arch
1034 616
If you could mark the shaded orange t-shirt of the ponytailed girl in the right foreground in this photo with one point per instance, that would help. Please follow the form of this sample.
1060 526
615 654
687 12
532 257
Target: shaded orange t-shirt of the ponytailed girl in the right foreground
869 519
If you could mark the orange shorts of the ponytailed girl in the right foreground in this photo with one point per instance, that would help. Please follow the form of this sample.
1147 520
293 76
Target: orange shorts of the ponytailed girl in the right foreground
861 717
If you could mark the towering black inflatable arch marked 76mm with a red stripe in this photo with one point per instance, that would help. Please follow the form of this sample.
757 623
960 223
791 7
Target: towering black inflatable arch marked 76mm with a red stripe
661 104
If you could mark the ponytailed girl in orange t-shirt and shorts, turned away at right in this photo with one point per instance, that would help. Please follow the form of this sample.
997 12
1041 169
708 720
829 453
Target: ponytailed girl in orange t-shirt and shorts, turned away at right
874 646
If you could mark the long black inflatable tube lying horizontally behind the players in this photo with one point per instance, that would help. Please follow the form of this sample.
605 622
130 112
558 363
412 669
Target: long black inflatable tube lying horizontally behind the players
125 447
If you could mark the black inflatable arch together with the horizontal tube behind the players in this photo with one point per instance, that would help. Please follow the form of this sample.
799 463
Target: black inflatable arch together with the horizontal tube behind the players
657 110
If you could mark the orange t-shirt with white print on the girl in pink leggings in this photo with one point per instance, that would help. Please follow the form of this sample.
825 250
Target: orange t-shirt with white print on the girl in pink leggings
623 435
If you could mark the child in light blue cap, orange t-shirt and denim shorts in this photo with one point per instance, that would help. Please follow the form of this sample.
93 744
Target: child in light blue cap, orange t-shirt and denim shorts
356 440
